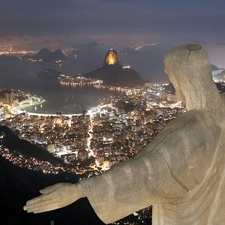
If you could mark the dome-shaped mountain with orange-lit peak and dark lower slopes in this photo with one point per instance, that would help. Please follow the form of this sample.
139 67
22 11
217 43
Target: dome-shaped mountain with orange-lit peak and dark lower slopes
113 73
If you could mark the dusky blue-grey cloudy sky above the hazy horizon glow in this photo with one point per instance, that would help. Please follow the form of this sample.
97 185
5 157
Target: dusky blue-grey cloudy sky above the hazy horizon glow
114 20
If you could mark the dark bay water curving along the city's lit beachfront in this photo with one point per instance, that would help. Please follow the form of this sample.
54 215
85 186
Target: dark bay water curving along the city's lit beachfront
23 76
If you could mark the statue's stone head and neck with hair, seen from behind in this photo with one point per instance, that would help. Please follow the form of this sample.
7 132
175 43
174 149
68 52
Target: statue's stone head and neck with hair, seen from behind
189 69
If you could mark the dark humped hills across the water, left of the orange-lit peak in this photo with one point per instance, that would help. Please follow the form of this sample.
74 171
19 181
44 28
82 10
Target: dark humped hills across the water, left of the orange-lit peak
44 55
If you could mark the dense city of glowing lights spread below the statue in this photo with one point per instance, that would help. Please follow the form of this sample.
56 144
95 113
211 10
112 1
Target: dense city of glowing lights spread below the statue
95 140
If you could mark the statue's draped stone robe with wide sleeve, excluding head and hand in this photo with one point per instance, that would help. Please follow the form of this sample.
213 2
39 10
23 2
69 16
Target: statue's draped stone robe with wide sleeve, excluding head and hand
180 173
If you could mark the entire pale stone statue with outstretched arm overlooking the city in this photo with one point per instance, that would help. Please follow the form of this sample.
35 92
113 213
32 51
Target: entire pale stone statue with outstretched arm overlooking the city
181 173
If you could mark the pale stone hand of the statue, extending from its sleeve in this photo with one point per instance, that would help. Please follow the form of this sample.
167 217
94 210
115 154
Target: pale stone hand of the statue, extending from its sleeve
55 197
